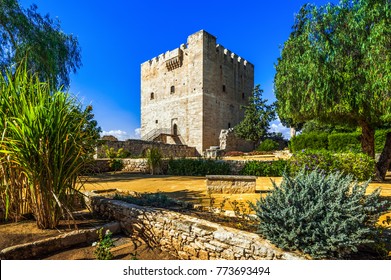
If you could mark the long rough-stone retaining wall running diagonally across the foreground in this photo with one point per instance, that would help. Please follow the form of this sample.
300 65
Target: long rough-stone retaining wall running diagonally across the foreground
187 237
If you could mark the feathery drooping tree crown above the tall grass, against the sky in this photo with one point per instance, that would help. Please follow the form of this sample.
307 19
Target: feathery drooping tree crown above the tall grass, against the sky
27 35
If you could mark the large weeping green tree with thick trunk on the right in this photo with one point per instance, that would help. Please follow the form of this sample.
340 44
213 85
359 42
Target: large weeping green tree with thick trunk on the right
336 68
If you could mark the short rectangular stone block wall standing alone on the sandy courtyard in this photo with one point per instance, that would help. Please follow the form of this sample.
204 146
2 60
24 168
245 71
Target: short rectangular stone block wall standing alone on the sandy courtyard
230 184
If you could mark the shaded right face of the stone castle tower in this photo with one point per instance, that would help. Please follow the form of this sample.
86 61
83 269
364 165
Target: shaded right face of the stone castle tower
228 83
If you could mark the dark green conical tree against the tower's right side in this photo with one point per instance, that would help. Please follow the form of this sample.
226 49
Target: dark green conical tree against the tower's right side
257 117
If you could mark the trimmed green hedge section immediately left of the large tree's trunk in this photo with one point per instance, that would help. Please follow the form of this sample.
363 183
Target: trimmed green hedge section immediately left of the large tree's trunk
344 142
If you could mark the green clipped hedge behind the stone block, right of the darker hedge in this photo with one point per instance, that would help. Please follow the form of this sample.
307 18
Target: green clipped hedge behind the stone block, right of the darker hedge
262 168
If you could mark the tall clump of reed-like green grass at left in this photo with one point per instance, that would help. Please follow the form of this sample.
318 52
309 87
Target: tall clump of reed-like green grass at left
47 140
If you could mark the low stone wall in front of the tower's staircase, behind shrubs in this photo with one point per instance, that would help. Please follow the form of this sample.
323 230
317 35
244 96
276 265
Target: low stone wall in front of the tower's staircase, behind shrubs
138 147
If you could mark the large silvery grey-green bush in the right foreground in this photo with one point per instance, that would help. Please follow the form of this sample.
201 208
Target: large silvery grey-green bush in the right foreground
323 216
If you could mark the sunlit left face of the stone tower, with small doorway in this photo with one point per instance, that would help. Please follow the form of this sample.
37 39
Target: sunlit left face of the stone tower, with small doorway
180 106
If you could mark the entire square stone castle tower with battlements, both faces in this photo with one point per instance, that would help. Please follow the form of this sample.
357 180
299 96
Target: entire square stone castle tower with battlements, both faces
188 95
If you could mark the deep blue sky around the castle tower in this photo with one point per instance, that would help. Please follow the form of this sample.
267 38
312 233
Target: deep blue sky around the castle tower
117 36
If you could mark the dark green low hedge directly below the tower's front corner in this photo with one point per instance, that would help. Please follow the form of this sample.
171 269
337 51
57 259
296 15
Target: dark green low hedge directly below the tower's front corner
197 167
